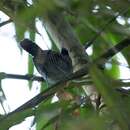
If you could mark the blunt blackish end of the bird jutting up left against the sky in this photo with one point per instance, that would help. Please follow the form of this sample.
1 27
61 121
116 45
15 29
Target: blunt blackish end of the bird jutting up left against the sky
30 47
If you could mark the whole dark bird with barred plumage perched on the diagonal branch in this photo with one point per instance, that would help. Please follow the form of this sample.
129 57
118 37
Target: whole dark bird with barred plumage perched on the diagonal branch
53 66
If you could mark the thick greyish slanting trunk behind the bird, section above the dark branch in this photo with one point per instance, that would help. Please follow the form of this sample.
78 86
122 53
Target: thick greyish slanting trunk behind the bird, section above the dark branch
64 36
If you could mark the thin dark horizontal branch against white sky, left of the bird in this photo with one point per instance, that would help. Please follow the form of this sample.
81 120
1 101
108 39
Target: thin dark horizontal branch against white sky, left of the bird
22 77
